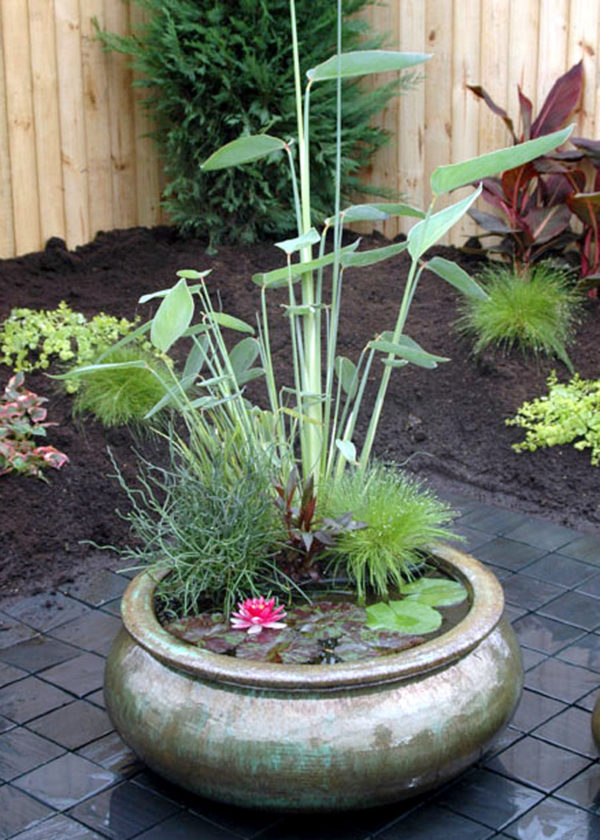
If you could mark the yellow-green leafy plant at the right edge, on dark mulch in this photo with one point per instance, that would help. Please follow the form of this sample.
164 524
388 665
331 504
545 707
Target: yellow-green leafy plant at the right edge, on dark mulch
570 413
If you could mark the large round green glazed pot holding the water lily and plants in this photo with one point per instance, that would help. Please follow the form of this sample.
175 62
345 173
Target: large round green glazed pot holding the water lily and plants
315 737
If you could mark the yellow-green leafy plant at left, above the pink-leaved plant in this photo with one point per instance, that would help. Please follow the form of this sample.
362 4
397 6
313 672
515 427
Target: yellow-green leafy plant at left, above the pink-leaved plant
32 339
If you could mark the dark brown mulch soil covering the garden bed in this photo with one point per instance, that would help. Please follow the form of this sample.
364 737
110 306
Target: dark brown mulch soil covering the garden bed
449 422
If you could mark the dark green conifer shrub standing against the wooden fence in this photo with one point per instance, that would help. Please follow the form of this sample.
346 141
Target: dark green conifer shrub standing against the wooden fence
218 69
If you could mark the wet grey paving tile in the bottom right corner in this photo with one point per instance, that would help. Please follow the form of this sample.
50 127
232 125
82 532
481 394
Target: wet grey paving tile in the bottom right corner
554 820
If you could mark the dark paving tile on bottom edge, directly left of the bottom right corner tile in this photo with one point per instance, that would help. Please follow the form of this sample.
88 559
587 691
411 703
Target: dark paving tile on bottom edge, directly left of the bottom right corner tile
433 823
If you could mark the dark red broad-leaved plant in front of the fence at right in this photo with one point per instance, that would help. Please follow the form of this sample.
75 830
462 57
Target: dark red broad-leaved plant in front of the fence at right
538 200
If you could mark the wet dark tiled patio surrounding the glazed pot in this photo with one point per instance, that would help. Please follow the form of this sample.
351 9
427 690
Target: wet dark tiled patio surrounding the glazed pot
66 775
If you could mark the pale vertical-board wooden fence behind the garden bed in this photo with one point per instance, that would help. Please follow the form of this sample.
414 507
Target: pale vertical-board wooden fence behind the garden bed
73 158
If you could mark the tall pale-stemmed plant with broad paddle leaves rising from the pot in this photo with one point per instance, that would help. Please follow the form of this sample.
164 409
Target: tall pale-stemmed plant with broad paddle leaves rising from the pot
307 429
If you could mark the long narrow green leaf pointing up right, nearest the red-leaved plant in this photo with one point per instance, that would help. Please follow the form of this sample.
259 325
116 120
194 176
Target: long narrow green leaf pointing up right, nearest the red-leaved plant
447 178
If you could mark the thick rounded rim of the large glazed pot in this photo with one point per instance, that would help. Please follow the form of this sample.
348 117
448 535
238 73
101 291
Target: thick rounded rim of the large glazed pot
487 605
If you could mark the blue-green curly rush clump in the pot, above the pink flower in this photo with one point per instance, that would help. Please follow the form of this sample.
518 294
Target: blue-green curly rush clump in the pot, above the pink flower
212 524
